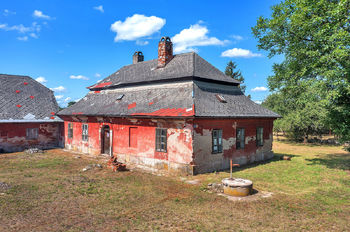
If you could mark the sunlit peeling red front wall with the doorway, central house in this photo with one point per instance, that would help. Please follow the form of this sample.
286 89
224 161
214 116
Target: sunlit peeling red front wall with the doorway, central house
140 148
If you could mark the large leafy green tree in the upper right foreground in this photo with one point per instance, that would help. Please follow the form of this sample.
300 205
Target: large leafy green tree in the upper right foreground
314 38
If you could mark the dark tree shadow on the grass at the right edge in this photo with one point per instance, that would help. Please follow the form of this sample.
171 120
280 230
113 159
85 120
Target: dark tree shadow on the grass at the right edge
333 161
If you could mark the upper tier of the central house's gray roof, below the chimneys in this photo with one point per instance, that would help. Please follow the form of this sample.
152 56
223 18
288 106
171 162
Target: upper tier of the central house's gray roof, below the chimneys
182 65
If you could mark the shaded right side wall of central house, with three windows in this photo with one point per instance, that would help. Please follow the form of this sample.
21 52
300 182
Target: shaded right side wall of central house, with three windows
205 161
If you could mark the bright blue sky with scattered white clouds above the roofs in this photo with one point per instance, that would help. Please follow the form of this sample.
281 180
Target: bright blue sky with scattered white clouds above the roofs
70 45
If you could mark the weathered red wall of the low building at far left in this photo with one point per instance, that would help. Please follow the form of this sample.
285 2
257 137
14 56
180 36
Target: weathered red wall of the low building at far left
13 136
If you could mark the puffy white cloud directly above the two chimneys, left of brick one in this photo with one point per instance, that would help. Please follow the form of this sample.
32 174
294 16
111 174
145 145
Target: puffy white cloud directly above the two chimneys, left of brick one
136 27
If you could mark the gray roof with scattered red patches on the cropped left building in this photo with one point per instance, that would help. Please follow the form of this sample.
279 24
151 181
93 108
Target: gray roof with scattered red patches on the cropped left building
32 101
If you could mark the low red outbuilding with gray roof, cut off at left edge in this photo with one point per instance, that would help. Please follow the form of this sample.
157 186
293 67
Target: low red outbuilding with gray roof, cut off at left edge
27 115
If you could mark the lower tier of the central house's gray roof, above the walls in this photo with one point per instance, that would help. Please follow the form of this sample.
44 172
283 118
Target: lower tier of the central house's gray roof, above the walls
190 98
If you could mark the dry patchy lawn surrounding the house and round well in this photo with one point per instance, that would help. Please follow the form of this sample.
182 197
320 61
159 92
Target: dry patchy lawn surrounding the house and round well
50 193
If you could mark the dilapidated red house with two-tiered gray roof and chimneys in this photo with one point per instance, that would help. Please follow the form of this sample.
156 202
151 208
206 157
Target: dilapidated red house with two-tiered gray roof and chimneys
176 113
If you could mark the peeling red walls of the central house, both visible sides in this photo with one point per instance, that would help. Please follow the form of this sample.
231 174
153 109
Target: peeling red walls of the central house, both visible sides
189 141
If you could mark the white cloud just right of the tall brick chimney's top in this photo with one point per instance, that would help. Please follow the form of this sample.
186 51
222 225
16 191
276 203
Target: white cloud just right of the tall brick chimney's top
195 35
